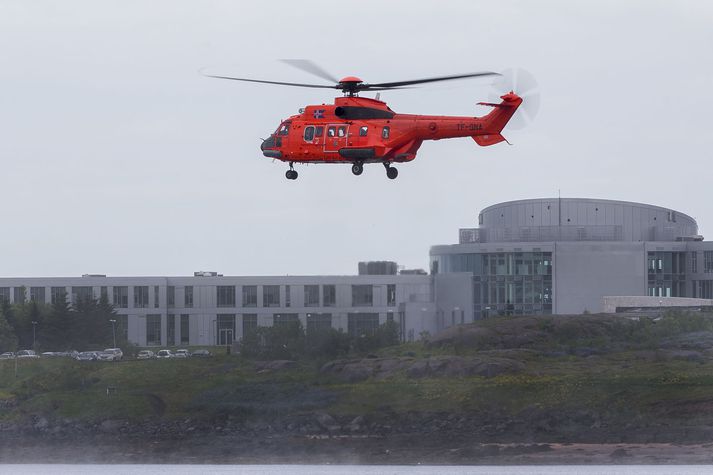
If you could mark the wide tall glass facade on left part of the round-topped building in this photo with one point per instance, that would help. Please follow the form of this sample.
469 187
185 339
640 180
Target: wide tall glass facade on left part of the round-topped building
505 283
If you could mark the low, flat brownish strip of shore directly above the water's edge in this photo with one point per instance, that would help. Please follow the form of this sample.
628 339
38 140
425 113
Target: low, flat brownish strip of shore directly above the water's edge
409 450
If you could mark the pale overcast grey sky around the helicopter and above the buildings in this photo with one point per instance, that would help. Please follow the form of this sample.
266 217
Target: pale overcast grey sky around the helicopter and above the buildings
117 157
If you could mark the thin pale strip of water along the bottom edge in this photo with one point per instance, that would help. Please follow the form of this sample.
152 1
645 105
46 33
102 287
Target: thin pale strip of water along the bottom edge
59 469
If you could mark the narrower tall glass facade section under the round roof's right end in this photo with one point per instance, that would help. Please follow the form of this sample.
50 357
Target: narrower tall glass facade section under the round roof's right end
666 274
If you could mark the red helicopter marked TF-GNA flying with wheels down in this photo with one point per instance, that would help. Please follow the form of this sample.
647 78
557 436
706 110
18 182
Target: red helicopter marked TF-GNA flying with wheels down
359 130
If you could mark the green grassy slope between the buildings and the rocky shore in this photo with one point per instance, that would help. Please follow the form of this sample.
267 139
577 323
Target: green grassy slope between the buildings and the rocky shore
624 378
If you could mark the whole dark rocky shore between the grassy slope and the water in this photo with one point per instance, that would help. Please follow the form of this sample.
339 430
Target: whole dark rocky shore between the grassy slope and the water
532 437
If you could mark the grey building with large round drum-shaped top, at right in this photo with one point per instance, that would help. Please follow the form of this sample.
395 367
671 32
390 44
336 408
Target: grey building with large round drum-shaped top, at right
562 255
